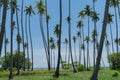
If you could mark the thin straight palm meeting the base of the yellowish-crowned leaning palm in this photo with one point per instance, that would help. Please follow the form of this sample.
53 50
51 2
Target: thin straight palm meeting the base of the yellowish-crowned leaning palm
47 22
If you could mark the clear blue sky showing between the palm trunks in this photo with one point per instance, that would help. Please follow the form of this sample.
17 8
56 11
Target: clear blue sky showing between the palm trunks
53 10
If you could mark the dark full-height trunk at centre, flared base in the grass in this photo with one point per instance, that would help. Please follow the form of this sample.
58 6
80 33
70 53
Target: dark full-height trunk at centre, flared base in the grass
59 43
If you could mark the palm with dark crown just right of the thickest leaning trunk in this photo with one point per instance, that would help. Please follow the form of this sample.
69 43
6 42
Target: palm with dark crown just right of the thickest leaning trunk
109 22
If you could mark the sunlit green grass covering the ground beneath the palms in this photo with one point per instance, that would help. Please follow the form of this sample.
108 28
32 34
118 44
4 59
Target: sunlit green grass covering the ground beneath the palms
104 74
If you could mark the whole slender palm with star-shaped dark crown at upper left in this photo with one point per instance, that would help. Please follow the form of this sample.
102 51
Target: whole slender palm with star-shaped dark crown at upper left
29 11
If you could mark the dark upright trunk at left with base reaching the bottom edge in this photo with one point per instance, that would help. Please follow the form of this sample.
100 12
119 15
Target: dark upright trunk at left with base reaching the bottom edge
11 45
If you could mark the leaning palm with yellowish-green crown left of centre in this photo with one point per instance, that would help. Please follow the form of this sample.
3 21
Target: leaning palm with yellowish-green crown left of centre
41 9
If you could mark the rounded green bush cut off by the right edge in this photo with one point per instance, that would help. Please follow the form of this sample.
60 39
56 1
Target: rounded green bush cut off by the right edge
114 61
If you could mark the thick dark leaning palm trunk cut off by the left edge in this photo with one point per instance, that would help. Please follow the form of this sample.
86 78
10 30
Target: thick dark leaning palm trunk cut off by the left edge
2 32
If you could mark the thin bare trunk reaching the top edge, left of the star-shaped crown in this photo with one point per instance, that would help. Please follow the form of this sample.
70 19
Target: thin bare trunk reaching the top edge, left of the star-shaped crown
22 32
